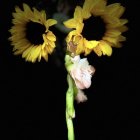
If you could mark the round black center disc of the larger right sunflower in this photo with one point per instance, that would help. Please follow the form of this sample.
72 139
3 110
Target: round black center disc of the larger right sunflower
94 28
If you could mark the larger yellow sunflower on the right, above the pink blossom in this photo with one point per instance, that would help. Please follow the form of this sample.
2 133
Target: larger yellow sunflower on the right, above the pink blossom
77 43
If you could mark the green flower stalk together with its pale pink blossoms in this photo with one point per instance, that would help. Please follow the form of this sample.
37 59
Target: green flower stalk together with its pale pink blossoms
78 78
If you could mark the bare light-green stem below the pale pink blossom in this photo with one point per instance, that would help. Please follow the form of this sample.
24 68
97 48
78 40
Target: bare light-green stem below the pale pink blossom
70 112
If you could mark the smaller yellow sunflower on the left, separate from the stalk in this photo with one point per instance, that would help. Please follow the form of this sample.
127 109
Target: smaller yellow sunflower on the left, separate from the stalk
35 45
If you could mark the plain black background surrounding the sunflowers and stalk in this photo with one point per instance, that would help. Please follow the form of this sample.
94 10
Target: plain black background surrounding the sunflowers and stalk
33 95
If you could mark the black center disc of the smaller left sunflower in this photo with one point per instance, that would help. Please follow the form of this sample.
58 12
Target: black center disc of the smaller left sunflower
34 32
